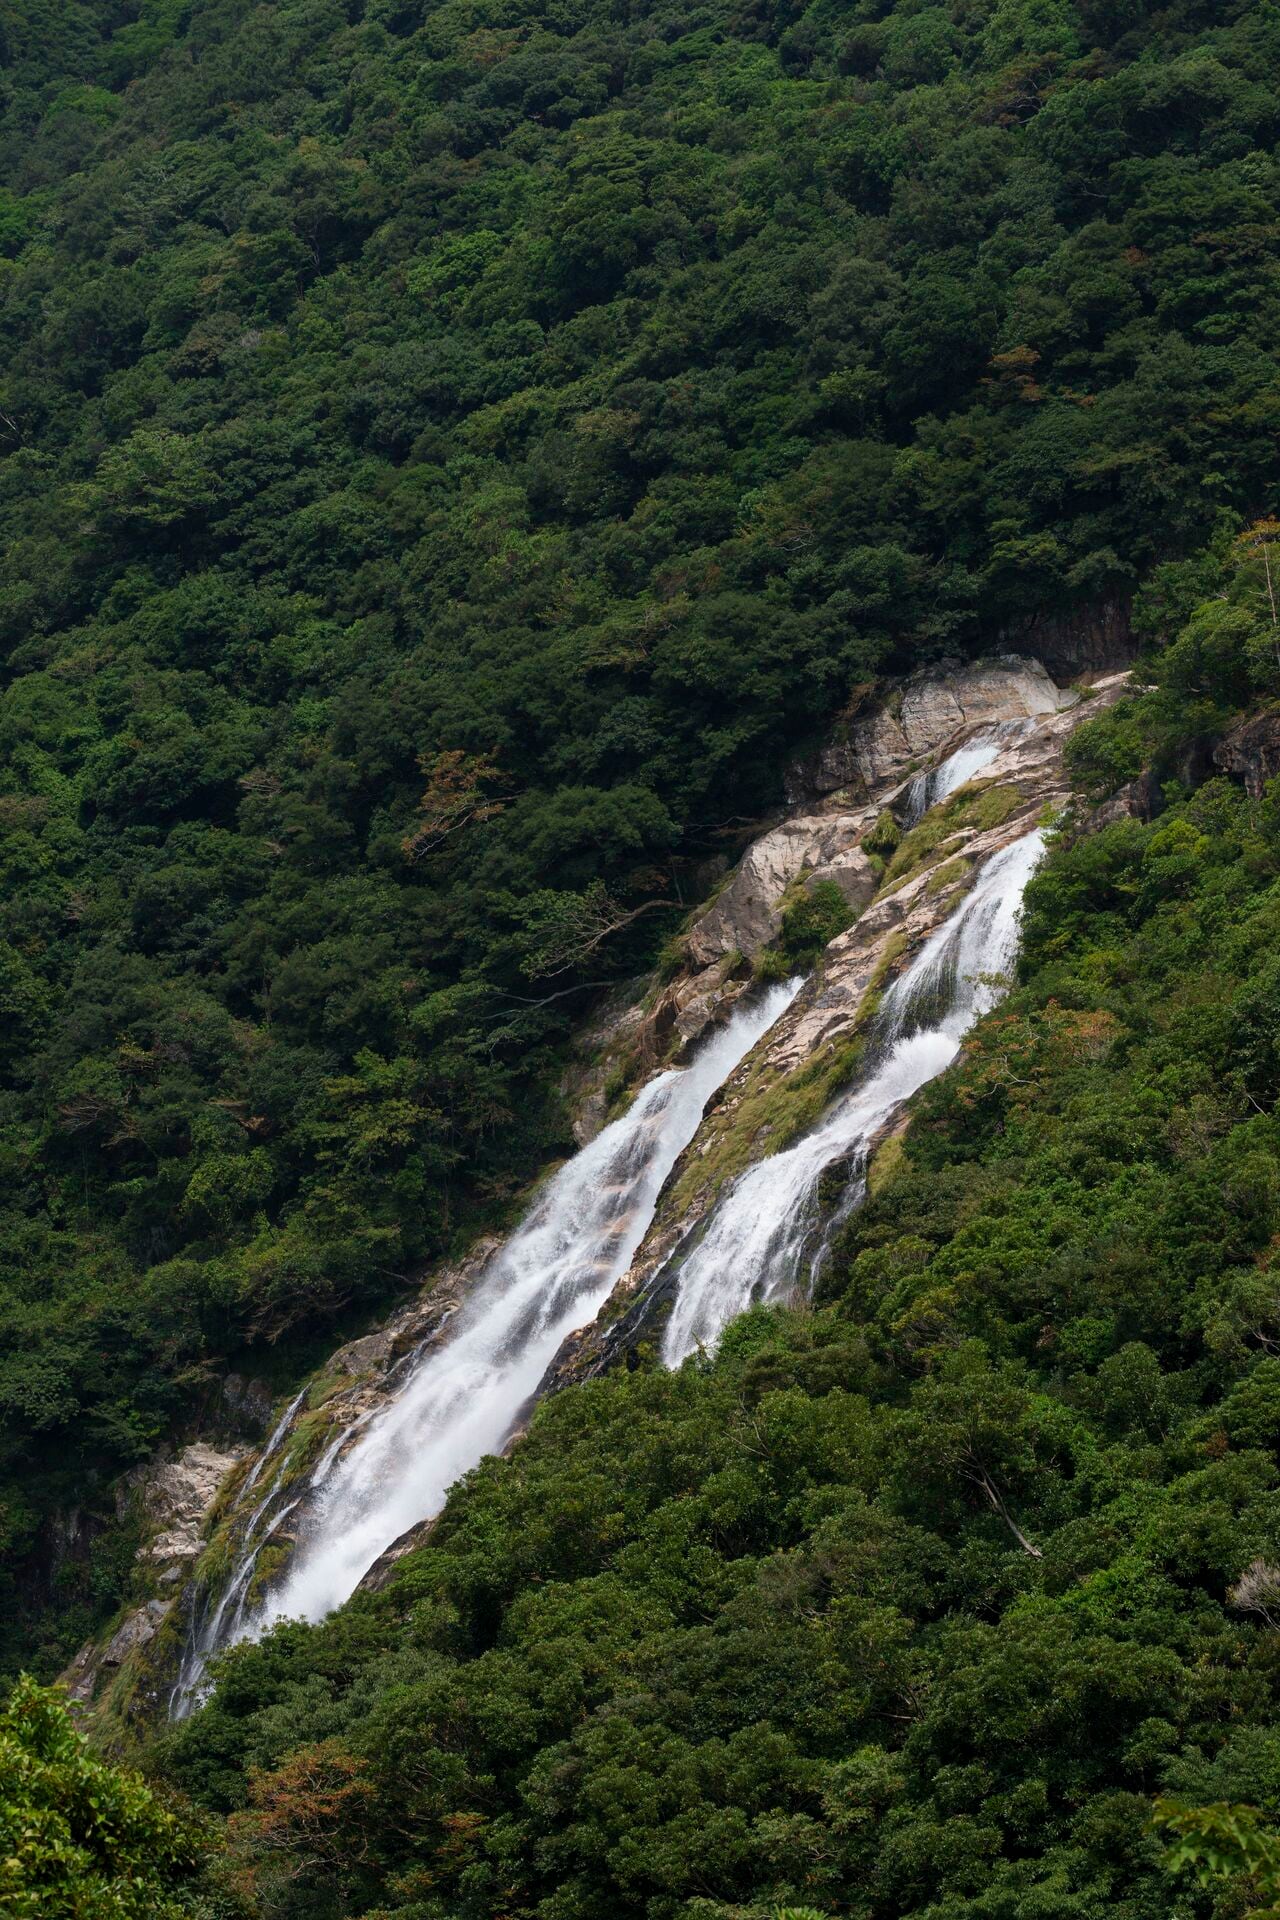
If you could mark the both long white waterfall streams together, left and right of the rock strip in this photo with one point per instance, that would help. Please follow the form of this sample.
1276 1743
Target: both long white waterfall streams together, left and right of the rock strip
465 1393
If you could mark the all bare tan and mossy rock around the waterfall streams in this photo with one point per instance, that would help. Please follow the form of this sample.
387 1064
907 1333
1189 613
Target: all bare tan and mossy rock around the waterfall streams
859 819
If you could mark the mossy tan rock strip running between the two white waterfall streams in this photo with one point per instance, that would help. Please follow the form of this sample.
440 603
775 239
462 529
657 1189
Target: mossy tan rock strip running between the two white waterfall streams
792 1076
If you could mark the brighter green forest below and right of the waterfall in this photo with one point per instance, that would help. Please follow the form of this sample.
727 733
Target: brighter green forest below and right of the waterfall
913 1604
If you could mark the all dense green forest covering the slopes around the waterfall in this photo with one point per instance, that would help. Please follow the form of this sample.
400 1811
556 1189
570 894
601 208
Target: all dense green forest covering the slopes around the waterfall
450 460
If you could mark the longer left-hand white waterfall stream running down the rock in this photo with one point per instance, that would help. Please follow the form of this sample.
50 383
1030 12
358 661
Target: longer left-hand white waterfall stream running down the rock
462 1397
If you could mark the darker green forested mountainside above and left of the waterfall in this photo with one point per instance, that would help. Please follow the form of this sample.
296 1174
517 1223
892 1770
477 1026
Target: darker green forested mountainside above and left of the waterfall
450 456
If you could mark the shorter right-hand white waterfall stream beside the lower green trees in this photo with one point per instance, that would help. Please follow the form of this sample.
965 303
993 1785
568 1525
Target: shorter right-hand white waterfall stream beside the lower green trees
761 1241
